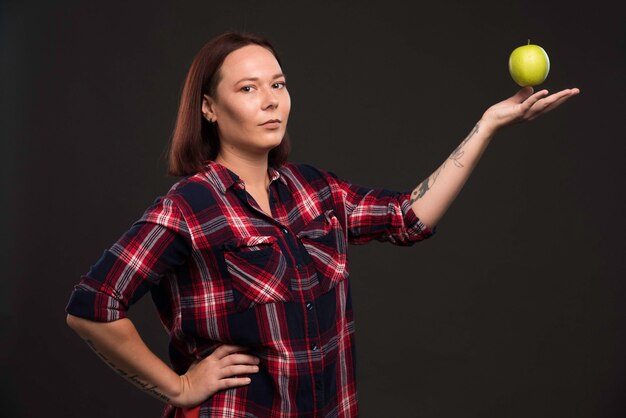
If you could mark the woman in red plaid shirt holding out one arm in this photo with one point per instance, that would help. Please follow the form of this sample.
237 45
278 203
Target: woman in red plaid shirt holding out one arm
245 257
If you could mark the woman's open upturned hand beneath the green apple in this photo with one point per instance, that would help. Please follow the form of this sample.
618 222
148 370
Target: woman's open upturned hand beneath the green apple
524 106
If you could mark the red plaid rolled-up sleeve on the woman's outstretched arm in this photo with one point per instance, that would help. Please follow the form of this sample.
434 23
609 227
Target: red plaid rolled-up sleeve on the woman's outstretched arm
379 214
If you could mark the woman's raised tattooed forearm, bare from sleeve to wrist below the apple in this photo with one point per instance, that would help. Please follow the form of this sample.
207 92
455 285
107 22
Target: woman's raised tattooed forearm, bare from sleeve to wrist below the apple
432 197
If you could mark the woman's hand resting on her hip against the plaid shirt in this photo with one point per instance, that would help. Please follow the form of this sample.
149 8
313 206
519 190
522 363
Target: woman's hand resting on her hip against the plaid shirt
221 370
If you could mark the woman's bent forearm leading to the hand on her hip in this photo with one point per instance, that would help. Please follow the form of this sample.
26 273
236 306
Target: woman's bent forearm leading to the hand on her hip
119 345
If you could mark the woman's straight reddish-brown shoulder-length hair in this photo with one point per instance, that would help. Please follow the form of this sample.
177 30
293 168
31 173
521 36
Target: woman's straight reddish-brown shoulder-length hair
195 140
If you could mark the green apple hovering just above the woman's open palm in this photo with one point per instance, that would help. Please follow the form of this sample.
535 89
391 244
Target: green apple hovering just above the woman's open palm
529 65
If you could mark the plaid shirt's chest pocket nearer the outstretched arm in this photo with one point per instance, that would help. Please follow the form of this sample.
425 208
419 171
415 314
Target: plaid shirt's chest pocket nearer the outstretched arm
325 241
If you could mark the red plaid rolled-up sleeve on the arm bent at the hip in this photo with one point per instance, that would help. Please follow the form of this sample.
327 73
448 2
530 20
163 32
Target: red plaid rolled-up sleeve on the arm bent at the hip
159 241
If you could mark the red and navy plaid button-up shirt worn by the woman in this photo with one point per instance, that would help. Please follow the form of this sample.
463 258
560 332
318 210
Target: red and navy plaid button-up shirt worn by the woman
221 271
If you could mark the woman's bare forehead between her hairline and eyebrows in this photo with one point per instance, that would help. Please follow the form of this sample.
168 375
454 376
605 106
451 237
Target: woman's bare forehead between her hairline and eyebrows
249 61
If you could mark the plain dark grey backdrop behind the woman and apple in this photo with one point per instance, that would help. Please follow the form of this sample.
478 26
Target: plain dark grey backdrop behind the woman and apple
514 308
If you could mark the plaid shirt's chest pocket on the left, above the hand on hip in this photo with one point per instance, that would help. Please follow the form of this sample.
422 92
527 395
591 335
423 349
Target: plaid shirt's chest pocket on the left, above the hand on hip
258 269
